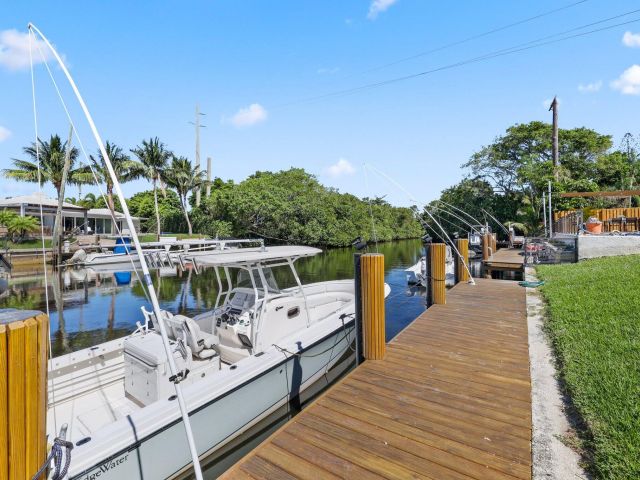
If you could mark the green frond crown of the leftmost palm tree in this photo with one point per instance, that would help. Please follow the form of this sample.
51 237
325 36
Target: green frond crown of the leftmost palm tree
52 155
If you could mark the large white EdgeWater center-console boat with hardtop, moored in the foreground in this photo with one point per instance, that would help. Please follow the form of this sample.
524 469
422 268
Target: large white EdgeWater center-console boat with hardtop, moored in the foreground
258 349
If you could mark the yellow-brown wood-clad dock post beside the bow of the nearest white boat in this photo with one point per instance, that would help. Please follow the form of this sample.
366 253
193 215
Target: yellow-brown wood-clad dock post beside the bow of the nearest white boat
373 325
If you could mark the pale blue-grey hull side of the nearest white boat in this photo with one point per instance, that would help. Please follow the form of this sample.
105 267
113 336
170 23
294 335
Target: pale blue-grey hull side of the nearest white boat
165 454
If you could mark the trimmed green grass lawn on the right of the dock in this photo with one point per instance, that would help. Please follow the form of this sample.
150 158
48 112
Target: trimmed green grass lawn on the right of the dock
594 322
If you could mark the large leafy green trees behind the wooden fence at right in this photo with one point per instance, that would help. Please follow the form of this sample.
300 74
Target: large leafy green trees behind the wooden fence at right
508 177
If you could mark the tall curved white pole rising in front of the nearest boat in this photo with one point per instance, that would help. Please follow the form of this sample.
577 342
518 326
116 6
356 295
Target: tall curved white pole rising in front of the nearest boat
143 262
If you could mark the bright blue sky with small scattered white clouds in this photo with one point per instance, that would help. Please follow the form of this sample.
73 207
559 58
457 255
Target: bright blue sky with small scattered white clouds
143 66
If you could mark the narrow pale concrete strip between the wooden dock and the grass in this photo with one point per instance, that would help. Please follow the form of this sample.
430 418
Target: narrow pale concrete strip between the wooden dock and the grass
552 459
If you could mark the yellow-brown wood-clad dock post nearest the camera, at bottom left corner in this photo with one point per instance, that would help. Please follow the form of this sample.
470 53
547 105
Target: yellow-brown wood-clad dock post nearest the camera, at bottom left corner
23 392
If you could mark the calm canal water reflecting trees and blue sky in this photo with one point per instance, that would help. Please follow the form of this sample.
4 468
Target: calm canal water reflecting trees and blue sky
88 307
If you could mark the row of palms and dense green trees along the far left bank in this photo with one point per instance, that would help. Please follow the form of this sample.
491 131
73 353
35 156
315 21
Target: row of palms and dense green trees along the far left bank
288 206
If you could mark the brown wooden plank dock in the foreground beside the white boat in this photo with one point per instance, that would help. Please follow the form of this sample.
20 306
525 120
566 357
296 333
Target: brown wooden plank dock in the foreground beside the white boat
450 400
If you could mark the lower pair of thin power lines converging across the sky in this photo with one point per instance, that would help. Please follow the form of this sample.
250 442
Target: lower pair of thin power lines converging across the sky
497 53
